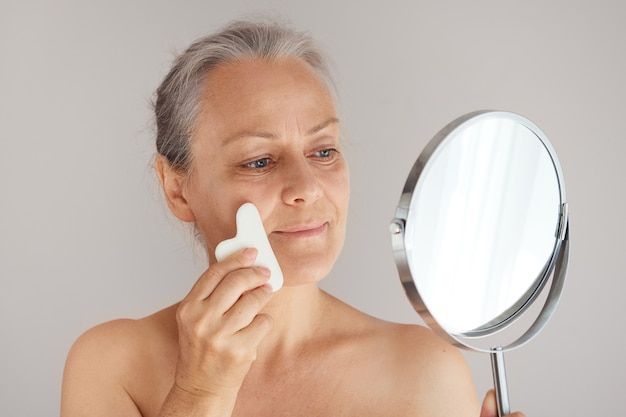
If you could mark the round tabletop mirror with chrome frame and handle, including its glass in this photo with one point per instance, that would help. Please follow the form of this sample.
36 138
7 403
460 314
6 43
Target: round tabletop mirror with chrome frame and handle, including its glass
480 229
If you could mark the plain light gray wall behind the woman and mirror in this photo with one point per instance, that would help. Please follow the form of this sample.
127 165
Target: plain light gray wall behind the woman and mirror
85 236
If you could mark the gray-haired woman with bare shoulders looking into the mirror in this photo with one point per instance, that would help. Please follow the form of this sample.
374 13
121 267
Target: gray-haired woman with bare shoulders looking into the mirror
248 115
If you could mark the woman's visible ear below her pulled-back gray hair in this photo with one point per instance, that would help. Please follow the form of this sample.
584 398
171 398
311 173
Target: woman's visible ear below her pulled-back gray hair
172 183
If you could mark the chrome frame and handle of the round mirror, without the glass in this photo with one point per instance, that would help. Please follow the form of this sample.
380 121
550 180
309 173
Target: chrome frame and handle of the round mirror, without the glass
555 268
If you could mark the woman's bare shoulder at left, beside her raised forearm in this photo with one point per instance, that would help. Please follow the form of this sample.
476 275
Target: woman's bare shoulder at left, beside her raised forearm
107 364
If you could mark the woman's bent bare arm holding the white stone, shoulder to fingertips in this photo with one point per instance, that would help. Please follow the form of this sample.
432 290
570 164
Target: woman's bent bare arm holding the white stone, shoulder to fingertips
219 329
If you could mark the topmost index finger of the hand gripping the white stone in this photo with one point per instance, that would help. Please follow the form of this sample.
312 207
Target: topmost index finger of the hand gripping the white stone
211 278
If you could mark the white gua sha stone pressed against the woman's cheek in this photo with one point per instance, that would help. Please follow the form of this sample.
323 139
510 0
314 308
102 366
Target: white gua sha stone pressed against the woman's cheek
251 234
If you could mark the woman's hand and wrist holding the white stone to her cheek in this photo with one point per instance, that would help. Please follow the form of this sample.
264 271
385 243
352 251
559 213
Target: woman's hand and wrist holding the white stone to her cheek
220 326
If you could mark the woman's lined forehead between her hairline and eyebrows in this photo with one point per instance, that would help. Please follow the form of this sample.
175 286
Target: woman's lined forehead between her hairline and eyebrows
260 94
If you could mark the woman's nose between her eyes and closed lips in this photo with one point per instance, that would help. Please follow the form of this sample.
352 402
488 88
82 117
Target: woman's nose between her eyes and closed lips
301 185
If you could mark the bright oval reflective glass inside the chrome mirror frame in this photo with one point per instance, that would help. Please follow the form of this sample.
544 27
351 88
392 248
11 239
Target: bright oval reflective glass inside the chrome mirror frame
483 218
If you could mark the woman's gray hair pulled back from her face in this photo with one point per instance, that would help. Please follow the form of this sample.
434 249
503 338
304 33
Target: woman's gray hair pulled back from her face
178 97
